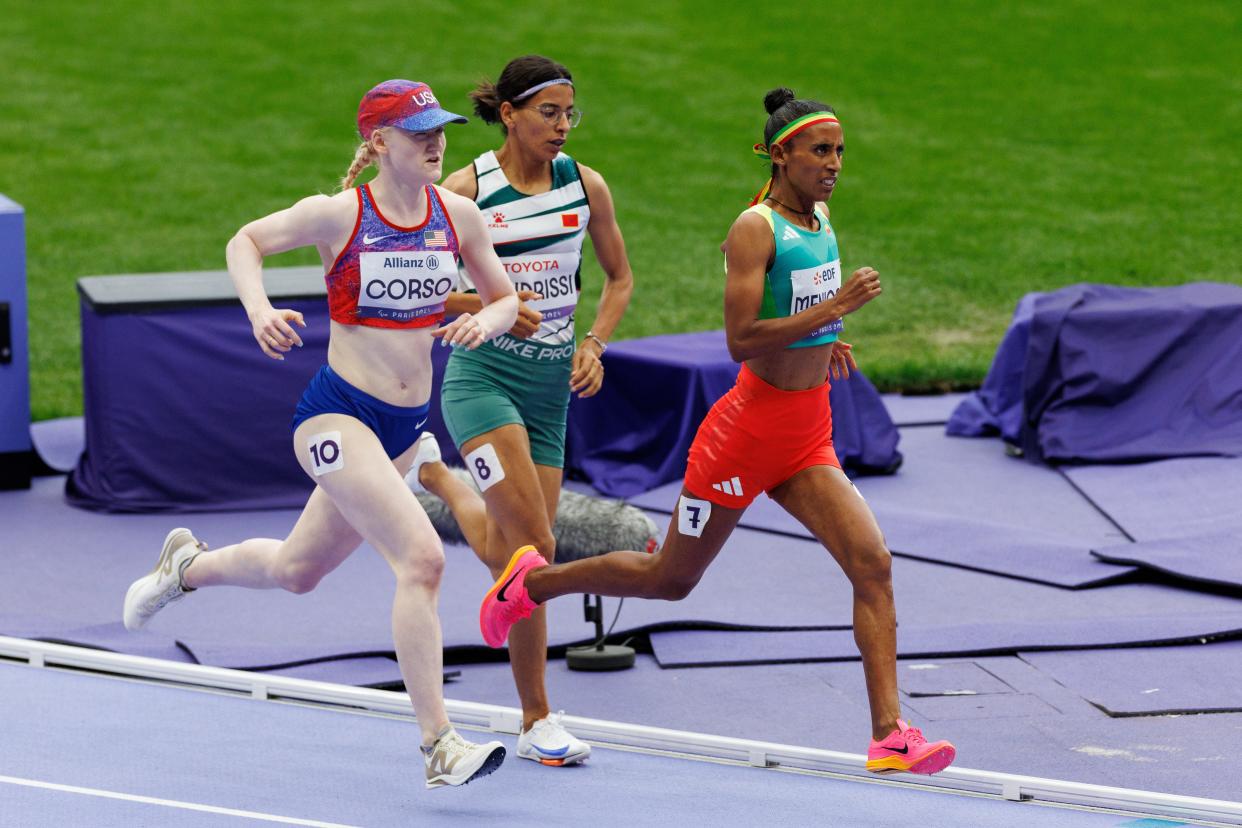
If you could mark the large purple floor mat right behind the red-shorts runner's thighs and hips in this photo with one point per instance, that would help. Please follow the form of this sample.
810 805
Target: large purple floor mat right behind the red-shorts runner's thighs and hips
931 510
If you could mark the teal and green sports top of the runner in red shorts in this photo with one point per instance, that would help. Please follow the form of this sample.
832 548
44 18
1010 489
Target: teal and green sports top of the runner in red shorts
805 272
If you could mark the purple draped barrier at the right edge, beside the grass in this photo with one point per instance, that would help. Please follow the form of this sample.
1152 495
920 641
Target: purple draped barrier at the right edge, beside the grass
1105 374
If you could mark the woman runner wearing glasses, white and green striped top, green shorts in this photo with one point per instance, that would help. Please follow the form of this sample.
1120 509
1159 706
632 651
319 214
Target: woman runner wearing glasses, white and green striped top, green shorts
506 404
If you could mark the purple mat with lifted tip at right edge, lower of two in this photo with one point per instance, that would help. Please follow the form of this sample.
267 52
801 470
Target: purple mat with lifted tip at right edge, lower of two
1205 559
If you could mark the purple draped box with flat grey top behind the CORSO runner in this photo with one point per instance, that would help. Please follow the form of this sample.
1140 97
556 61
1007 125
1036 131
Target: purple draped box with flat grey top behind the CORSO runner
183 412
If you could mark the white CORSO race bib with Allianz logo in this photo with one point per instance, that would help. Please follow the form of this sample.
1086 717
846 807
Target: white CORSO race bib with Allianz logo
404 285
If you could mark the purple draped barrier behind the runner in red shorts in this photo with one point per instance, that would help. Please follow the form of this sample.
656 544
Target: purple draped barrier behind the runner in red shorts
637 433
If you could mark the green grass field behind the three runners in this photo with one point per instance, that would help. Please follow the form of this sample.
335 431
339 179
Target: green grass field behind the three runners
994 150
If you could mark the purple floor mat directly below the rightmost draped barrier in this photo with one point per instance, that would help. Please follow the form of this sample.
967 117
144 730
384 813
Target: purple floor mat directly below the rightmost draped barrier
1179 498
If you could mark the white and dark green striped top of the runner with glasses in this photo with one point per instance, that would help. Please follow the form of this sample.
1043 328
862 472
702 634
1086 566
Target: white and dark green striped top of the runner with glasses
540 241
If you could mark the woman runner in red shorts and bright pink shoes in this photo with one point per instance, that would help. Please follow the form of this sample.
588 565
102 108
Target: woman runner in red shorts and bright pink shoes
773 433
